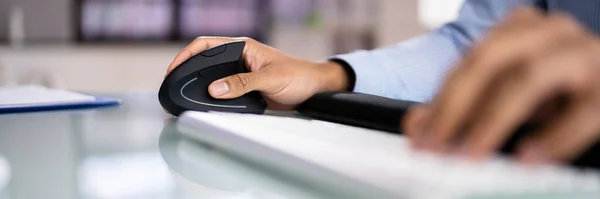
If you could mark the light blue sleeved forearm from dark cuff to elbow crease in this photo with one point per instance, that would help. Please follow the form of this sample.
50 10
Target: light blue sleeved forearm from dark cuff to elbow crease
410 70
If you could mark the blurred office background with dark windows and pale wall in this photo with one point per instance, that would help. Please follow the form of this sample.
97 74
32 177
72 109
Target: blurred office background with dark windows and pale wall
113 46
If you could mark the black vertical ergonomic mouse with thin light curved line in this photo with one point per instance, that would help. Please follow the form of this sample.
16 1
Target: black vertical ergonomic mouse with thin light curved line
186 87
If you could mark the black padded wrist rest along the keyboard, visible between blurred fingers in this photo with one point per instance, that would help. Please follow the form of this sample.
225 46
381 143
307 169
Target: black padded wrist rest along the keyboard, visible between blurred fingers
385 114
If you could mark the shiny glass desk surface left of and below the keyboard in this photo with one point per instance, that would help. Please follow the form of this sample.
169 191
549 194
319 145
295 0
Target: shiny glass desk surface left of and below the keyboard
131 151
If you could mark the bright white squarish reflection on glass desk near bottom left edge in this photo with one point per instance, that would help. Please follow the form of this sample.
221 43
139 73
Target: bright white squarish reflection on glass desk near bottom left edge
139 175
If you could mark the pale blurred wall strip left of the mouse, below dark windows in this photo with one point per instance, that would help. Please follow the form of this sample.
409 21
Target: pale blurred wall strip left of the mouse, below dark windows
95 69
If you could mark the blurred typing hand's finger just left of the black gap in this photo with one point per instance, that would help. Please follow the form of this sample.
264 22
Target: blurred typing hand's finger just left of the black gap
518 98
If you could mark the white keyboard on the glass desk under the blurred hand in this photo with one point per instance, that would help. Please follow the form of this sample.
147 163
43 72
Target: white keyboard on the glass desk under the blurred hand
382 159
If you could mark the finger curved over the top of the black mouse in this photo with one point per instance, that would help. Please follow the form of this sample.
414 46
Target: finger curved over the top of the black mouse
198 45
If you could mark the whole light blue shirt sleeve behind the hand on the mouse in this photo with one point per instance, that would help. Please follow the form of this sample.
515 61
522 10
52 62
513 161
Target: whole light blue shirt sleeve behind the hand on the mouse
414 69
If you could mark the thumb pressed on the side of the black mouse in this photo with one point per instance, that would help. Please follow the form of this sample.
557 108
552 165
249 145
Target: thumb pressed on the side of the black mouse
236 85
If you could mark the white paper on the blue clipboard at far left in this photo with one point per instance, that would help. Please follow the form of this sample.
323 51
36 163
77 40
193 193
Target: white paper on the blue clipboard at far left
21 96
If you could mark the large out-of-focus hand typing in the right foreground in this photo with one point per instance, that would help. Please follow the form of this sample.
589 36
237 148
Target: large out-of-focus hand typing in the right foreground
521 69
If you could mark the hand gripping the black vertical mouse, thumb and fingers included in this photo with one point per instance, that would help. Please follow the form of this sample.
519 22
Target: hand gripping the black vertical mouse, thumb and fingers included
284 81
